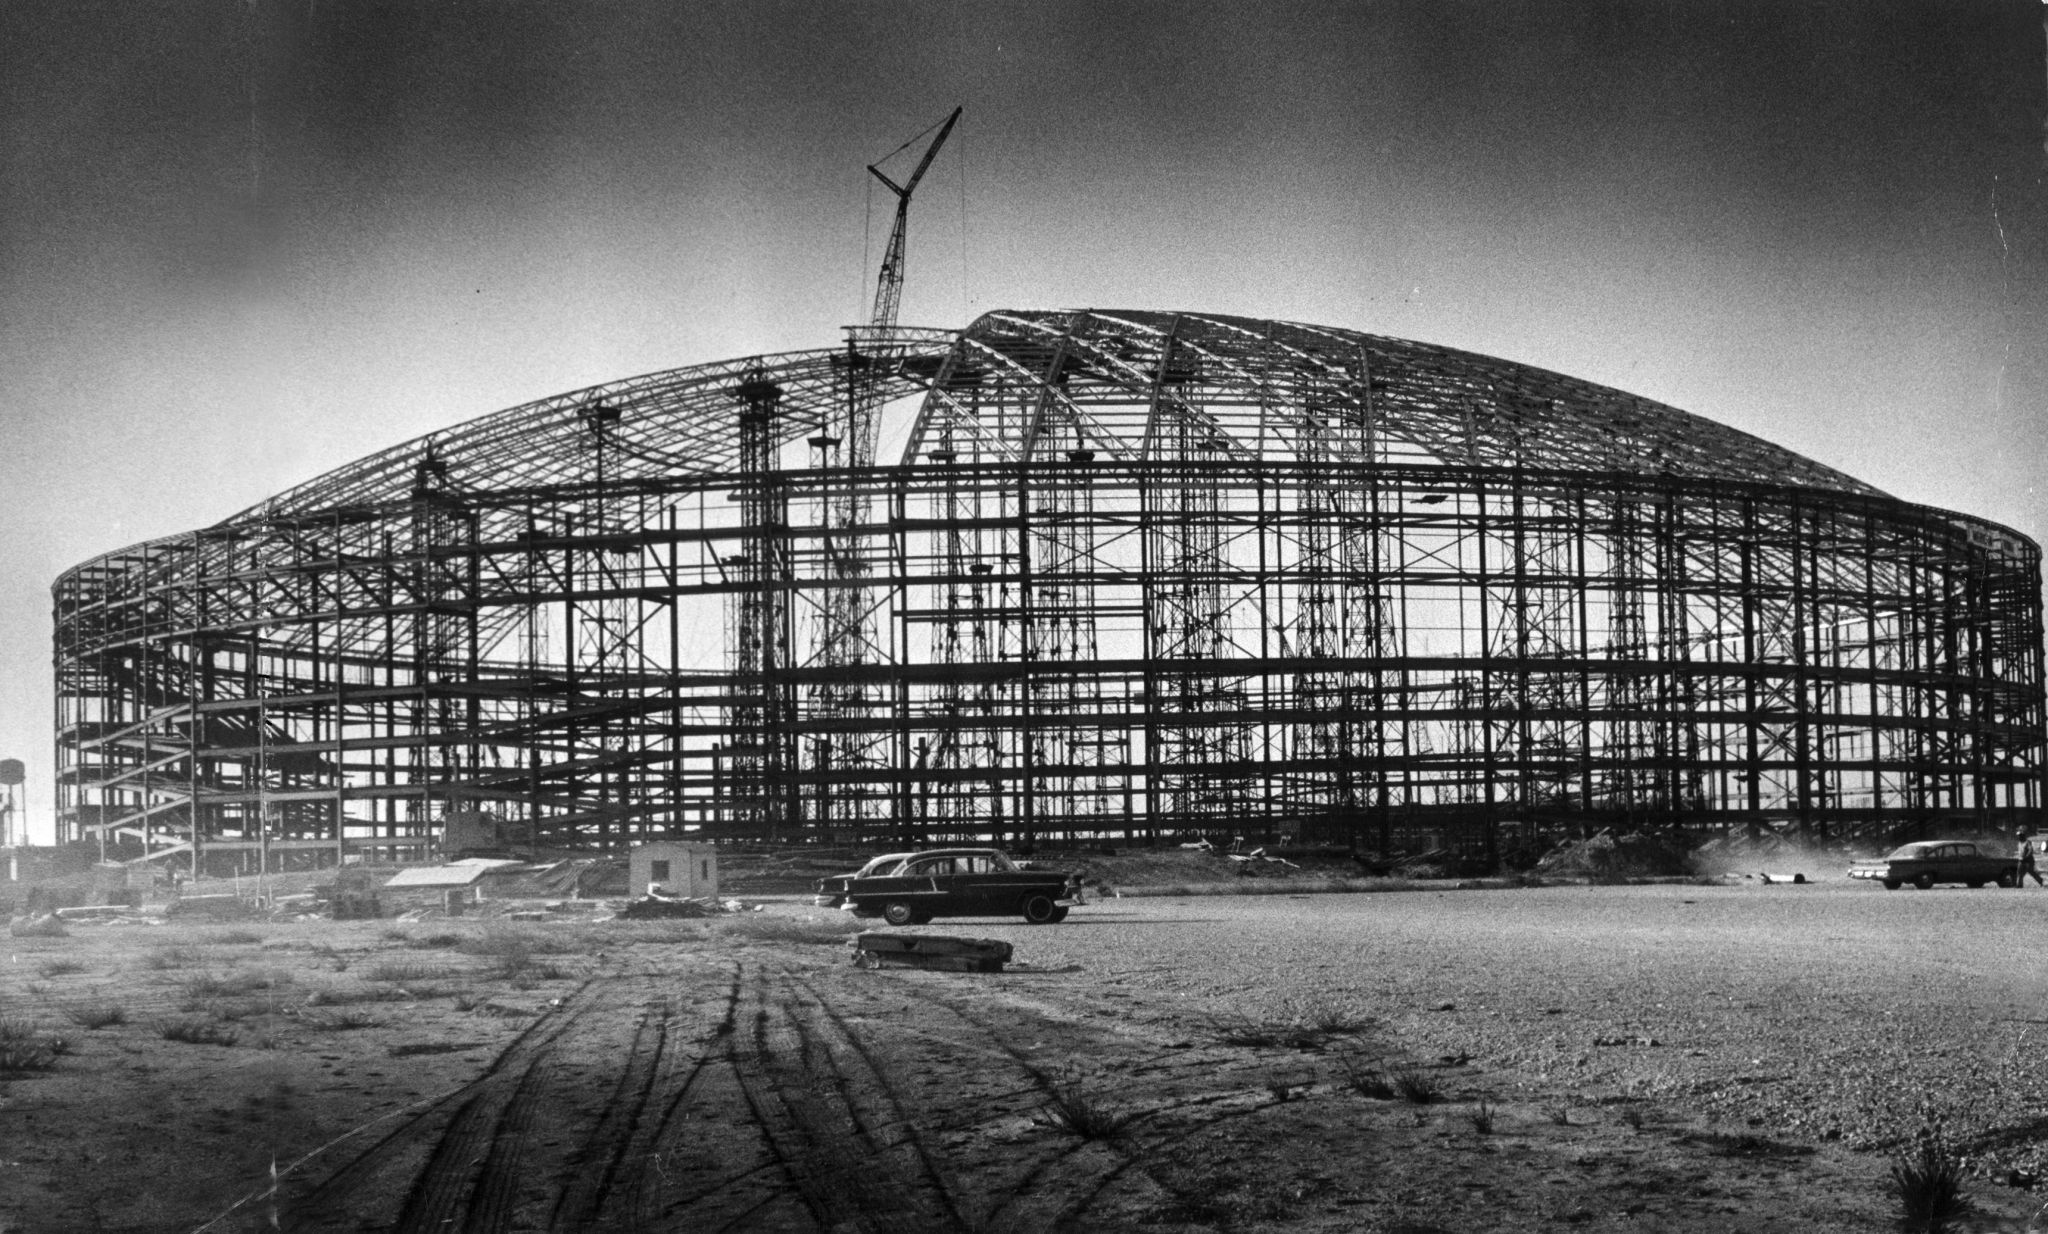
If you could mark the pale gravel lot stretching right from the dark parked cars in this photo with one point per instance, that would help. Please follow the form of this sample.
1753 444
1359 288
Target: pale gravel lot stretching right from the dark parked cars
1830 1010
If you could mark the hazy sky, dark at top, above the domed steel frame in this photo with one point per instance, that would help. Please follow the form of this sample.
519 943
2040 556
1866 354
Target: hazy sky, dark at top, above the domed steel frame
245 243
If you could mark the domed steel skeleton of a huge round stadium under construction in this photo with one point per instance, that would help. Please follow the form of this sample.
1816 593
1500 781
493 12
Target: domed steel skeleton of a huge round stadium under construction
1136 574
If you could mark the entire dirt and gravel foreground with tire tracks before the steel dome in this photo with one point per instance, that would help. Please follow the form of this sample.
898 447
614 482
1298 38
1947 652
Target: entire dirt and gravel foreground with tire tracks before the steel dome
1592 1059
